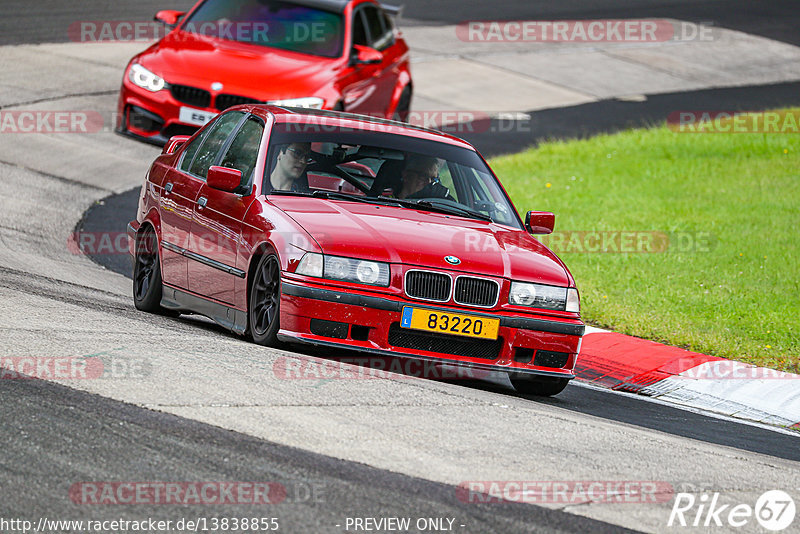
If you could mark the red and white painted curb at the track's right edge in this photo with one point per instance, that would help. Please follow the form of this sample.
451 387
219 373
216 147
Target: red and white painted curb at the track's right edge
691 379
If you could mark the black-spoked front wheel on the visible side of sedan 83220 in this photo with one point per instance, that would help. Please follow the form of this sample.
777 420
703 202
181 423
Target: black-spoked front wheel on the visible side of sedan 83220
263 312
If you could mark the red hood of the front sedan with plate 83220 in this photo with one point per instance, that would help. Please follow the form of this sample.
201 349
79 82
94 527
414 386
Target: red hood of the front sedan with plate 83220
402 235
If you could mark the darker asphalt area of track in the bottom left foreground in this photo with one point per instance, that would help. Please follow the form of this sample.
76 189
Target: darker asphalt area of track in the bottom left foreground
91 438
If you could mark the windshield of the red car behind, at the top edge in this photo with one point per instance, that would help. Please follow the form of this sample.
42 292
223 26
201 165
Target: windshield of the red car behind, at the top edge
270 23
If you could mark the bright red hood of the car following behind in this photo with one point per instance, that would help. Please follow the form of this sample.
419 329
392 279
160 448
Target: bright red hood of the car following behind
244 69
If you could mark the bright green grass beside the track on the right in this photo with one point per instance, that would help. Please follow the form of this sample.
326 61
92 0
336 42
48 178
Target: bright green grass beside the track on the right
737 295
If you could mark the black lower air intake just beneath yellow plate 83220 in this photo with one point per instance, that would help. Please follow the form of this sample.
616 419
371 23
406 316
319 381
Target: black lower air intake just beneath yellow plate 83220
470 348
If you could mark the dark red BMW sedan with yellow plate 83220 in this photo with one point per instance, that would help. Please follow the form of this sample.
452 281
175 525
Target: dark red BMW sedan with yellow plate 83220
338 230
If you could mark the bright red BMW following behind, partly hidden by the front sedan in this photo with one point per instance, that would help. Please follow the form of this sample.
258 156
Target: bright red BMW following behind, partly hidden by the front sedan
342 55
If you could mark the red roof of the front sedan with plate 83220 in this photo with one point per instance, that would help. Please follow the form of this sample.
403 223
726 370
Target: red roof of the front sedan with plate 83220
352 120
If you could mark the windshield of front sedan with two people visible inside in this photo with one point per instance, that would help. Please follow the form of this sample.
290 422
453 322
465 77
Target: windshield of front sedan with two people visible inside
362 166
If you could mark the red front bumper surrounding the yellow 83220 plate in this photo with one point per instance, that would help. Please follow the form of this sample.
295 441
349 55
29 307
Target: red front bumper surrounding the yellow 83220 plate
358 321
